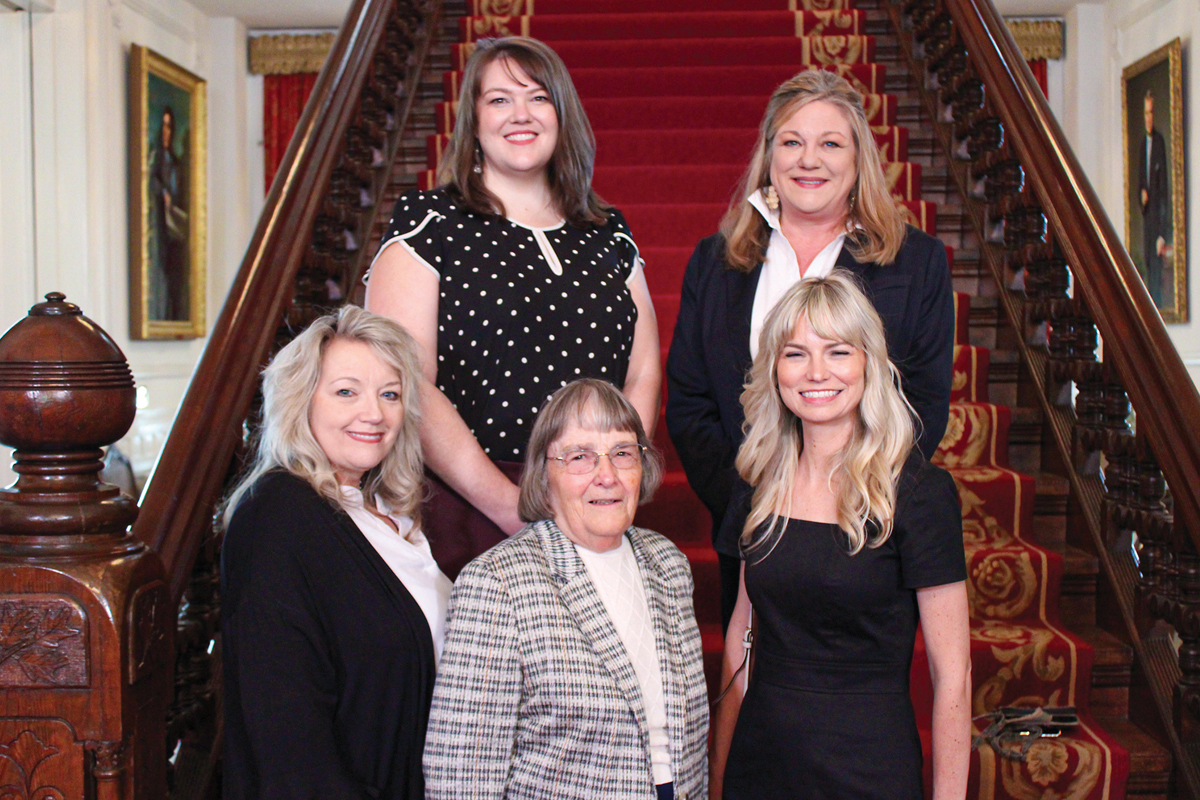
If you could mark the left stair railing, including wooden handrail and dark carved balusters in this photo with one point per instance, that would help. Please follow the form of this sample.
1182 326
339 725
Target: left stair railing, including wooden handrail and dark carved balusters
303 260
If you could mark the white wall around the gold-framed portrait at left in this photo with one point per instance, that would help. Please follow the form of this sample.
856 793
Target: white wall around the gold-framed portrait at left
63 173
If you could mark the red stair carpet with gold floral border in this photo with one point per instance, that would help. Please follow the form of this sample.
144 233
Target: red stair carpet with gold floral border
675 91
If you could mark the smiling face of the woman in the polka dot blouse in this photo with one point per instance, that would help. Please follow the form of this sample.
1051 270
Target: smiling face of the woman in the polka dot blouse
518 122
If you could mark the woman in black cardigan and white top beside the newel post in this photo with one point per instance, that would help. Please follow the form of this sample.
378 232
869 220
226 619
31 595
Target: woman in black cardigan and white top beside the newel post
333 609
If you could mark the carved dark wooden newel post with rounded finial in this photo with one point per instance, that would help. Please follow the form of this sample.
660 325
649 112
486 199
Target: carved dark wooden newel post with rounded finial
85 621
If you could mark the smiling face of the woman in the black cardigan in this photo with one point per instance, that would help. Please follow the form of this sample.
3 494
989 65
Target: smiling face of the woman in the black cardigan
357 411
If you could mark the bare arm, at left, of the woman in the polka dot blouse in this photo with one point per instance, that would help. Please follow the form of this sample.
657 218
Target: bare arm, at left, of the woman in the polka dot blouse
407 291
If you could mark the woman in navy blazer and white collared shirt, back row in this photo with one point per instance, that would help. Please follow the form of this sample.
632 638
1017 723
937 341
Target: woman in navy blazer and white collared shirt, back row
814 199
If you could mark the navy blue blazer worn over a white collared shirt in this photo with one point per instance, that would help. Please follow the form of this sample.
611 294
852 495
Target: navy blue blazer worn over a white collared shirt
710 359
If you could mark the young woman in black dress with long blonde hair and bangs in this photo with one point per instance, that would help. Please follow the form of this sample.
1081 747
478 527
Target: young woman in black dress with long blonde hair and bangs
853 539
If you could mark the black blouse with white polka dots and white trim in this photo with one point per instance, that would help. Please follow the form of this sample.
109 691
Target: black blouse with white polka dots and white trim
521 311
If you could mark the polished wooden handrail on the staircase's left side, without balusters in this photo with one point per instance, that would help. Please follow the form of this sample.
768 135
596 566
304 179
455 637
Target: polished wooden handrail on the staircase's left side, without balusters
188 480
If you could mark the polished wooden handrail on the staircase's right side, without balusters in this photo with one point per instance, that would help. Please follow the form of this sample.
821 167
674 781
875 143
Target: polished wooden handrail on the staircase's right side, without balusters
1148 364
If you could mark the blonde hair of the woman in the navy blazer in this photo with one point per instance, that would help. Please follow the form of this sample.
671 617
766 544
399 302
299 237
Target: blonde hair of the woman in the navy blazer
878 226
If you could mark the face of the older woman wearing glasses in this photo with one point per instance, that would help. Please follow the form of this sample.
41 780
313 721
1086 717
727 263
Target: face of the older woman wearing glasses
593 510
